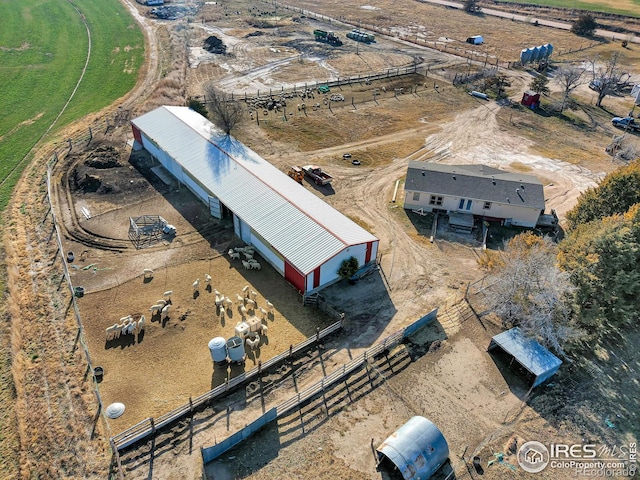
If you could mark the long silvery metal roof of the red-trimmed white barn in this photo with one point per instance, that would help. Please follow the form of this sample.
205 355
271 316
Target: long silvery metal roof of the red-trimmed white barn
300 226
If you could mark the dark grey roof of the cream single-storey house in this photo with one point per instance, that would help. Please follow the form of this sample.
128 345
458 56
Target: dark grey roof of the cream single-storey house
476 182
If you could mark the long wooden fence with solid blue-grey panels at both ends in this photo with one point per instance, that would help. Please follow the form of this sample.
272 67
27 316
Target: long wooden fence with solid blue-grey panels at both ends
211 453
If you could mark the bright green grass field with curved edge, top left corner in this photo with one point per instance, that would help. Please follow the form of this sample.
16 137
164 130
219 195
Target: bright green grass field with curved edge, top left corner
43 49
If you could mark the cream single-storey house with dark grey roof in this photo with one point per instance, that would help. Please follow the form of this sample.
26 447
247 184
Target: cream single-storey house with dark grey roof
478 190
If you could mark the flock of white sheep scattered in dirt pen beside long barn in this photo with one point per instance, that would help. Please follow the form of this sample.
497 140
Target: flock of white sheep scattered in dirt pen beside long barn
247 302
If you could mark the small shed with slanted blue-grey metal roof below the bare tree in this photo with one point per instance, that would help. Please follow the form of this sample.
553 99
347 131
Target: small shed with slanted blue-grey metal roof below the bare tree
535 358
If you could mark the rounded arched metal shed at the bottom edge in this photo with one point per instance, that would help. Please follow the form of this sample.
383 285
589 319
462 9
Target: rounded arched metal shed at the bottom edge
417 449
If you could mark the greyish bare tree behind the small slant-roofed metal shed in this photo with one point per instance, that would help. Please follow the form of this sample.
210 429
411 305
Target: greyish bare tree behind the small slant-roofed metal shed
529 291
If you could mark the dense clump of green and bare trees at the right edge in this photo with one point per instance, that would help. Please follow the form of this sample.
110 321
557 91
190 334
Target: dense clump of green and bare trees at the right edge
586 285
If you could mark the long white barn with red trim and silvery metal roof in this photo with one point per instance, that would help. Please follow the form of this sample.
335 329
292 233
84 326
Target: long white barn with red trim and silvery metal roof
297 233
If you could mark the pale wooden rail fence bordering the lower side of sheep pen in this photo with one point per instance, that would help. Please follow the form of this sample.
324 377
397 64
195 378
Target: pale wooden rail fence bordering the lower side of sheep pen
149 426
